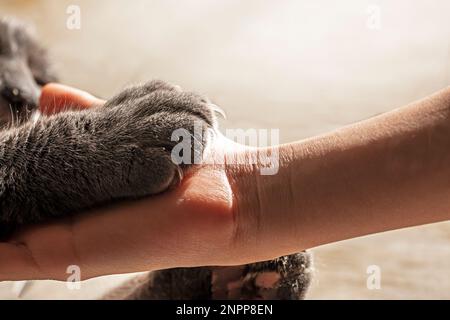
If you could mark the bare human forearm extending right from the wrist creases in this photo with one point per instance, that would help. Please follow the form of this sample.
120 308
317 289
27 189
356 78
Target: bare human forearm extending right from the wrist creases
389 172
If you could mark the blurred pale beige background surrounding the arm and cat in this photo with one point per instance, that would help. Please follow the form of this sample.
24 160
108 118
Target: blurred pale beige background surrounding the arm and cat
305 67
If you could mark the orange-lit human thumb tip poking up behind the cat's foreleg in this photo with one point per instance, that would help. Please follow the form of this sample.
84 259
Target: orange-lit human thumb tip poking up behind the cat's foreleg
57 97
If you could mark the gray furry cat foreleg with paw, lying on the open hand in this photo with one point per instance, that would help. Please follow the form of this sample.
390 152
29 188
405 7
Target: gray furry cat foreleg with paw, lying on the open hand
117 151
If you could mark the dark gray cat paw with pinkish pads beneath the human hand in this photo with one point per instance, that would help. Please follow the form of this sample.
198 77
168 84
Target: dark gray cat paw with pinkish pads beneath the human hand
221 283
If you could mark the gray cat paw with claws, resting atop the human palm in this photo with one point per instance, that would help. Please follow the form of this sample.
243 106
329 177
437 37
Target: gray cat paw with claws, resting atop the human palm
159 117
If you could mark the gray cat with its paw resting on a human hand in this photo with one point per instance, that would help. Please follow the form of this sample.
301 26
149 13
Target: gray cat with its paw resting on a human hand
64 164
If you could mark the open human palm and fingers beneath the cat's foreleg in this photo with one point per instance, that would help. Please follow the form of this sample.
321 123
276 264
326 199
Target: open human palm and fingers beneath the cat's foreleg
185 227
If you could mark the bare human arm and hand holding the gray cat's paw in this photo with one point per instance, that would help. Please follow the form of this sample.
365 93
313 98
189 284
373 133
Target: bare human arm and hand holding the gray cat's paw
385 173
